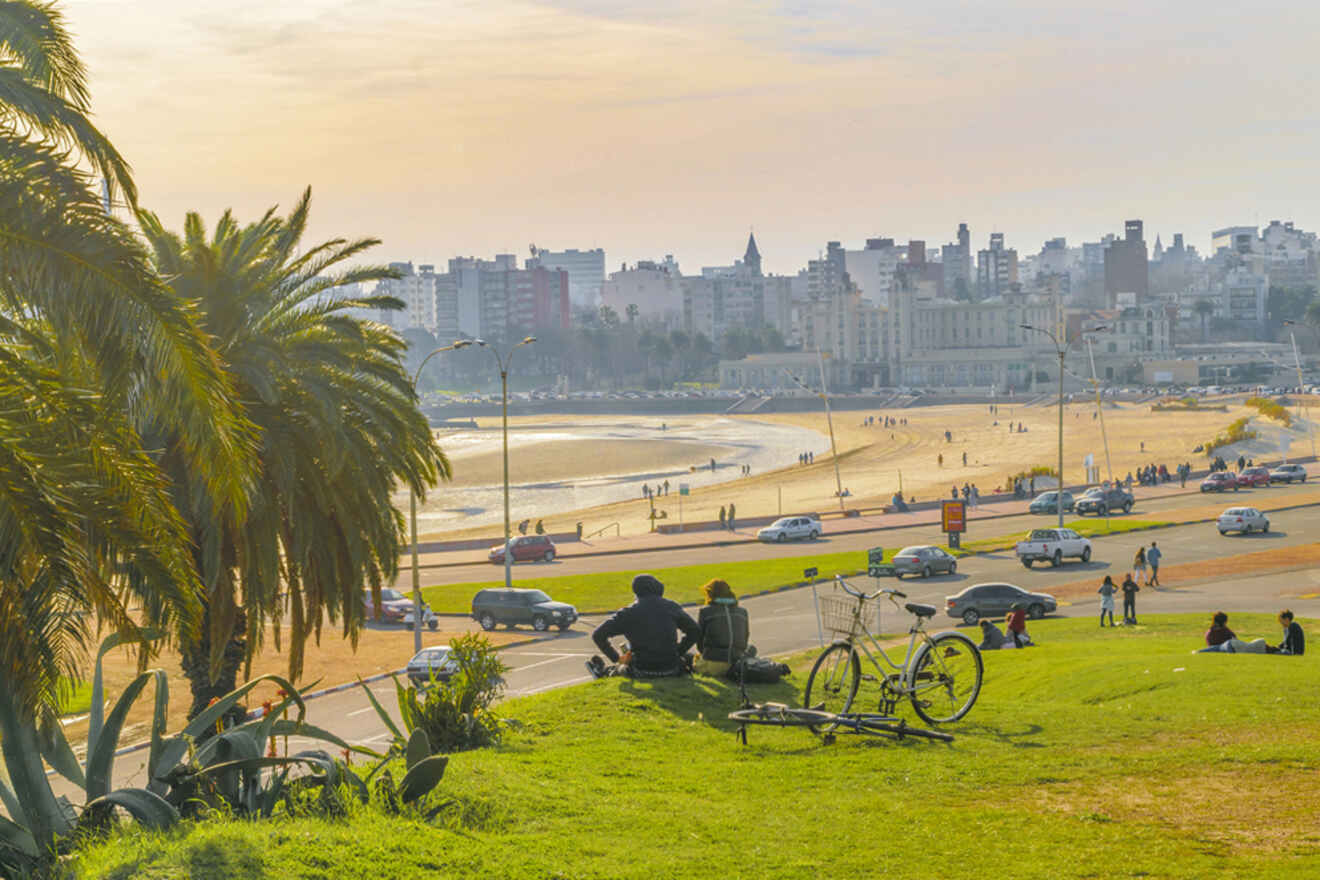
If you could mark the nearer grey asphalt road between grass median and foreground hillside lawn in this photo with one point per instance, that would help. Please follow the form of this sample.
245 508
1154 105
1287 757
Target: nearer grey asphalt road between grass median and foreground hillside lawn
786 622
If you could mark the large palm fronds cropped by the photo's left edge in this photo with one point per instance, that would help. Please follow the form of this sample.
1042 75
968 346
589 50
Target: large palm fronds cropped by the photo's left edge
92 346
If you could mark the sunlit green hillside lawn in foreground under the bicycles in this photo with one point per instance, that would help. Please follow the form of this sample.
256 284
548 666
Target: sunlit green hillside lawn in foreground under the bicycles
1100 754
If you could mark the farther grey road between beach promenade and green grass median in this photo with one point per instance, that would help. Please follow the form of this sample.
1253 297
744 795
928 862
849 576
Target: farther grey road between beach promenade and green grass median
529 575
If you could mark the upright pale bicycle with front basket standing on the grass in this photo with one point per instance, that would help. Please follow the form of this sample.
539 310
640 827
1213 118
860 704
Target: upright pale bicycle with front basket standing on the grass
940 674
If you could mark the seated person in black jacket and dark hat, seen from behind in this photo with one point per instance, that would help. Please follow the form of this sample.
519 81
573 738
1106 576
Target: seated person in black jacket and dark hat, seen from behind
651 626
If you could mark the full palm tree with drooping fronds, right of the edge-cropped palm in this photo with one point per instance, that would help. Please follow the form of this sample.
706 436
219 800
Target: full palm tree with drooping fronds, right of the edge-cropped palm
339 432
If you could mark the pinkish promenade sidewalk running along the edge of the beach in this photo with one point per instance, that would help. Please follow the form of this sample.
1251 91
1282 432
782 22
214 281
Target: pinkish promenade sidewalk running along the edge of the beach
992 507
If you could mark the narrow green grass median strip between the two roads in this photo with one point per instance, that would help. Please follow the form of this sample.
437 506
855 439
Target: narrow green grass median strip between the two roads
609 590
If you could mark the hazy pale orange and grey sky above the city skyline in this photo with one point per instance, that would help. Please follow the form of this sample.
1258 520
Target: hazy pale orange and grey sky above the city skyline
674 127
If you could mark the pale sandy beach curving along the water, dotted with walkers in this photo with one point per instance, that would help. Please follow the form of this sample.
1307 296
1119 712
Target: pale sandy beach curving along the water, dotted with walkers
873 460
